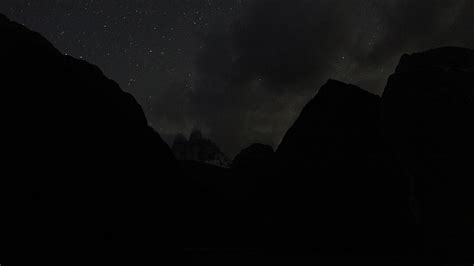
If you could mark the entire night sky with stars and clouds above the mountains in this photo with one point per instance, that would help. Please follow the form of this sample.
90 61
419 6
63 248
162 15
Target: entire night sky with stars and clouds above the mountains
241 70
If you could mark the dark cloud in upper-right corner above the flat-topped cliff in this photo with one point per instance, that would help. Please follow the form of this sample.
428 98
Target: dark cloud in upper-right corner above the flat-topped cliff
413 25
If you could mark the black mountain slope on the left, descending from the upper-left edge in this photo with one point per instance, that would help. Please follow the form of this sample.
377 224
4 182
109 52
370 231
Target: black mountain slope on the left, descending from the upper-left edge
85 165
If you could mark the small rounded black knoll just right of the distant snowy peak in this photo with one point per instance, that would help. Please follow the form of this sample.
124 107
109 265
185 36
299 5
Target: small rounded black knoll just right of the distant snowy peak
254 157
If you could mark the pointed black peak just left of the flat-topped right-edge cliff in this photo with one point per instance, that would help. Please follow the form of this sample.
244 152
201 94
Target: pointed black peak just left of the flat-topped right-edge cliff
334 173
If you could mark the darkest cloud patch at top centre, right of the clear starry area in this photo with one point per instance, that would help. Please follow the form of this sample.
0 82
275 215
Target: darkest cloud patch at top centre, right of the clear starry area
280 42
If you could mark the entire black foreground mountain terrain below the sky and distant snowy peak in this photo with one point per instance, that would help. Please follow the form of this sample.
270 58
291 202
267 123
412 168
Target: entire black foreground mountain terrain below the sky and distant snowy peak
357 175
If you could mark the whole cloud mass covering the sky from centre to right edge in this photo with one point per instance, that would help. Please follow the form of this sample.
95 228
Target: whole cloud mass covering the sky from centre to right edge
254 77
